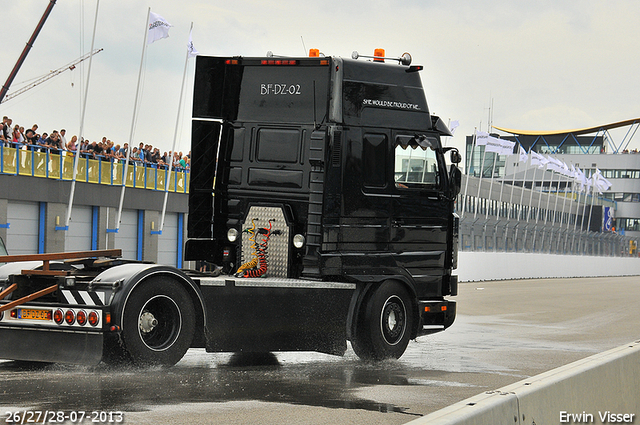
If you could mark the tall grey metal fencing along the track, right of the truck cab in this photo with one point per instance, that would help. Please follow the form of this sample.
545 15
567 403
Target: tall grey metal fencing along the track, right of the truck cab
492 222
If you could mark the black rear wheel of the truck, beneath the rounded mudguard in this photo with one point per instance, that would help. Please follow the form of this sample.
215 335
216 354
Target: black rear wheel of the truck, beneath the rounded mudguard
158 323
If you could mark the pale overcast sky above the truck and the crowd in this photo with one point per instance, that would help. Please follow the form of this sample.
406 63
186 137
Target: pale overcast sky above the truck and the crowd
544 65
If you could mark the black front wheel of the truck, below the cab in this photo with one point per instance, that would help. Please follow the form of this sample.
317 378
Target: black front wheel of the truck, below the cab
383 326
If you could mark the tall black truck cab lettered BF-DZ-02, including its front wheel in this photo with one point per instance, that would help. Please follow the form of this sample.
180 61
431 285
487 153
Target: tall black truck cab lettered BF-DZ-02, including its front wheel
328 169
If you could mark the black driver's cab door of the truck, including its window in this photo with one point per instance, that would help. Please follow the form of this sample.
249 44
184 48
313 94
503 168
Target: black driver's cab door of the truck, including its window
420 211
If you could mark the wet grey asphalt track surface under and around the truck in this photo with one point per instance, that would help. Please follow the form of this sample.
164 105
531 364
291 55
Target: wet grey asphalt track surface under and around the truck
505 331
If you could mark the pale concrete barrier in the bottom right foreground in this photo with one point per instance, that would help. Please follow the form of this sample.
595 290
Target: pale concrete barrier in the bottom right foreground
601 389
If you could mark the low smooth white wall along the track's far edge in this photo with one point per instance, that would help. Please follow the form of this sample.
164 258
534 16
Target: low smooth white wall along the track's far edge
477 266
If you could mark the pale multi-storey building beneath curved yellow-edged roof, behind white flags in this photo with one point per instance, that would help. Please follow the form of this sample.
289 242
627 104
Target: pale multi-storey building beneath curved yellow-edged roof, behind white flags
579 148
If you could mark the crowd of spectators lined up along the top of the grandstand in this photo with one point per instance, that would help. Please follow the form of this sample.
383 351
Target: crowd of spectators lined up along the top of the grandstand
105 150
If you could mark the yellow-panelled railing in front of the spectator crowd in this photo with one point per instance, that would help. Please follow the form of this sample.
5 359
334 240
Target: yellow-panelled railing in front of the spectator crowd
30 161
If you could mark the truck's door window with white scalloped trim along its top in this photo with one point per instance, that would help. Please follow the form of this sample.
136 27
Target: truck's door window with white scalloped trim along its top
416 163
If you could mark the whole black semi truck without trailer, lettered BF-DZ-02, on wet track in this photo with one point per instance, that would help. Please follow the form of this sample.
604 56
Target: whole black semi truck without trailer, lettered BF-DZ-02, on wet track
320 201
